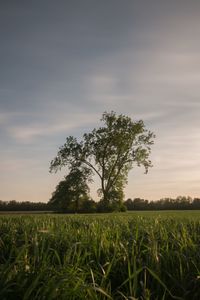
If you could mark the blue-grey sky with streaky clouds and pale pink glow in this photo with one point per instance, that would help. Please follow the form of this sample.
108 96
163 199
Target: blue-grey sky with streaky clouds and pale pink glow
63 63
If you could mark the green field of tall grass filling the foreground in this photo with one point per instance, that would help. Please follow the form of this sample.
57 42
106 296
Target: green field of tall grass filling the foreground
139 255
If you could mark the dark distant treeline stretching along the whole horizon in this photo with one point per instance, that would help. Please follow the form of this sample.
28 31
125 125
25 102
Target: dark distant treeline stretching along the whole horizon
90 206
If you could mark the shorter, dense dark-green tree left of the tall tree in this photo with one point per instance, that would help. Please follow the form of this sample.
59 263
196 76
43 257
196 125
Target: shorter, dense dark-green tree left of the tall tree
71 192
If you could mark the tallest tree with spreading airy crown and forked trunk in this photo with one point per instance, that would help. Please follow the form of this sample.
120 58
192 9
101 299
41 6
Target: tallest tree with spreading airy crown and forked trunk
109 151
